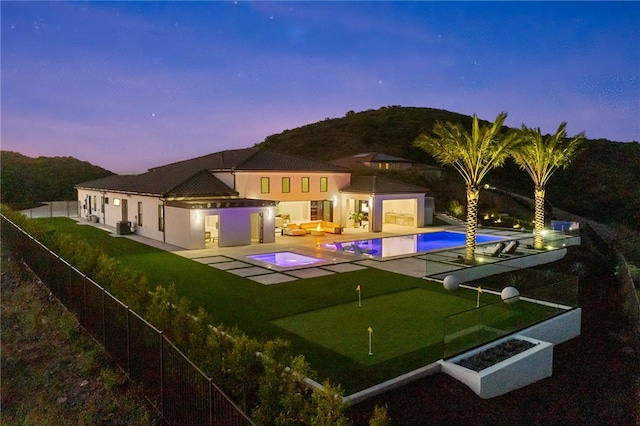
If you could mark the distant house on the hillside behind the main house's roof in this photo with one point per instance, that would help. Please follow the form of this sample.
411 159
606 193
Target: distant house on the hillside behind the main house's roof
382 161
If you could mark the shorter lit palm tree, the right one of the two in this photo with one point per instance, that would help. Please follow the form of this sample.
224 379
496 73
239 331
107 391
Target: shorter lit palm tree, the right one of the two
541 157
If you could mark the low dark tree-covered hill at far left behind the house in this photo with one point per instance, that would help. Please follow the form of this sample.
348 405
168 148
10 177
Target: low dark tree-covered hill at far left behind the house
26 181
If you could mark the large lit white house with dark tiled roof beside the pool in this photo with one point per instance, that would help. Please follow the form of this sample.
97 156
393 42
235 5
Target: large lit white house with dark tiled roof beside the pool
239 197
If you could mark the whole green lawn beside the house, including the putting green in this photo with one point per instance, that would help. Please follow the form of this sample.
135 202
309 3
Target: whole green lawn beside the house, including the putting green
320 316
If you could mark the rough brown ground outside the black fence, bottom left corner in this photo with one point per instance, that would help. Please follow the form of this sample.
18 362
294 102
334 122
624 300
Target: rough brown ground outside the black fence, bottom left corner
52 372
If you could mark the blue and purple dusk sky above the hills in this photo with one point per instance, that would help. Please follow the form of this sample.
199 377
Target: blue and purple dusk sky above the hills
132 85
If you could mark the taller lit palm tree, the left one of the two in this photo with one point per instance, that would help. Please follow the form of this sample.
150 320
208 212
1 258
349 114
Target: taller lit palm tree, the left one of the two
472 155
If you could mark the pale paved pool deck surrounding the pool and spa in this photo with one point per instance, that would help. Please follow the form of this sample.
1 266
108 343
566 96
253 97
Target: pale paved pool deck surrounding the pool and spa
432 265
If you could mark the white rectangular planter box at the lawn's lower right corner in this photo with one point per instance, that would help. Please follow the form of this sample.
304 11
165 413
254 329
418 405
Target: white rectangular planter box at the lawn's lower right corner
536 363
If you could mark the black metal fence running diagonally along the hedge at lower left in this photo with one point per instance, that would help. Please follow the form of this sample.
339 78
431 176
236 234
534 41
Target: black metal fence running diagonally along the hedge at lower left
178 389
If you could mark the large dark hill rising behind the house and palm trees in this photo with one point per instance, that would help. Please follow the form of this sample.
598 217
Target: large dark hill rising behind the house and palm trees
602 183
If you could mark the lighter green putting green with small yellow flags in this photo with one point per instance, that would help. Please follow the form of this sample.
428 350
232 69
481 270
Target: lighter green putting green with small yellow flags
402 322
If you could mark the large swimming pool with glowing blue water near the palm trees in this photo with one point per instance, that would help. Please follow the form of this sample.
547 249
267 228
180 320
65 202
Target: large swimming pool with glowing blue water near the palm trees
411 244
